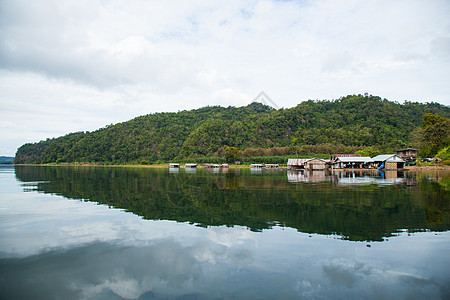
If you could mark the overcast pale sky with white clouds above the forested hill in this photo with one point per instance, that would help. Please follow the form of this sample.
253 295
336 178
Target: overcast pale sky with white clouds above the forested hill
72 65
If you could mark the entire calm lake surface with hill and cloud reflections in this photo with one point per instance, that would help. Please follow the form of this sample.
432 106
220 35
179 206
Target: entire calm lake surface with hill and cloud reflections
141 233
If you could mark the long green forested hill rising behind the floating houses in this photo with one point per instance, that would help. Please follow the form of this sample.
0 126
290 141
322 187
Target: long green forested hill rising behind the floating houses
346 123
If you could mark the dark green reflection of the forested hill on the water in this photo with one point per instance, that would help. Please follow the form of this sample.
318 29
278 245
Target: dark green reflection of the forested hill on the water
354 206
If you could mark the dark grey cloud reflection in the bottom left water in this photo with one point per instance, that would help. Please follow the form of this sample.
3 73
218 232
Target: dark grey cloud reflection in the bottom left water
107 272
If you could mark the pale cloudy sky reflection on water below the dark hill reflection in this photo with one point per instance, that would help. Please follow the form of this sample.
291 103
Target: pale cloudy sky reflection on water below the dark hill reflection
52 247
